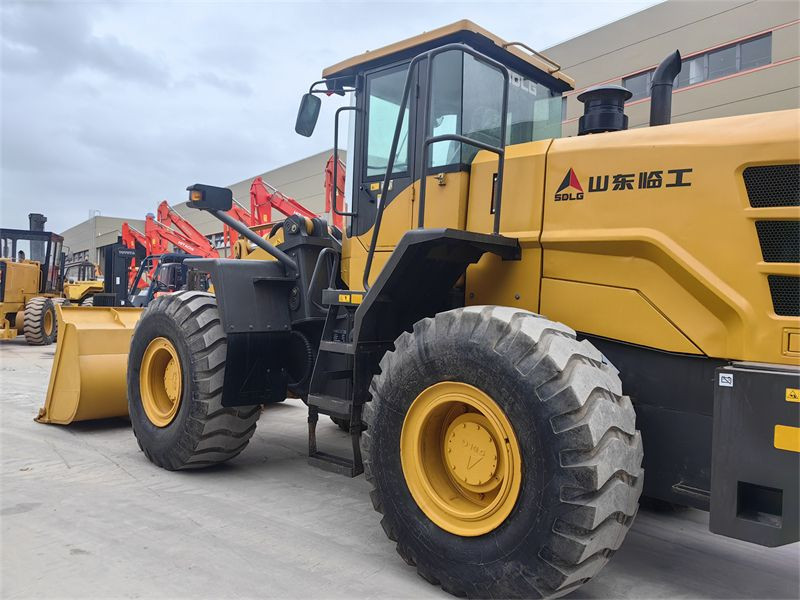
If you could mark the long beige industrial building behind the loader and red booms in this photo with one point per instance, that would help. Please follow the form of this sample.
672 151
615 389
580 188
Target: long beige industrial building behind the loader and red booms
738 57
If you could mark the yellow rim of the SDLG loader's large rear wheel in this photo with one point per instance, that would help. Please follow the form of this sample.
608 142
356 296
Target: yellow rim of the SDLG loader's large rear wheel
461 459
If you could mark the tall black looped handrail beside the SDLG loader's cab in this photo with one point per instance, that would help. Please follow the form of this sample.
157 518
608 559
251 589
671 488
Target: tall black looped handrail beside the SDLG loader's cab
429 56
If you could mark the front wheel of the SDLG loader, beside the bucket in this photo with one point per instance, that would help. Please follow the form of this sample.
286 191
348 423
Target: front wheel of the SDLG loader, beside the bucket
176 370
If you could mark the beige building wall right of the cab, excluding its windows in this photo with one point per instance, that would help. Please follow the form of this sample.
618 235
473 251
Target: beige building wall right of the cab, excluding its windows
639 42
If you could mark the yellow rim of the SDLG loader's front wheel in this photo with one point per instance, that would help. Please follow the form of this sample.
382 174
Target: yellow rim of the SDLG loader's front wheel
161 382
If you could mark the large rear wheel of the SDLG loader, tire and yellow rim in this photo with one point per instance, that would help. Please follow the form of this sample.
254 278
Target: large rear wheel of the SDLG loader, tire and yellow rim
560 476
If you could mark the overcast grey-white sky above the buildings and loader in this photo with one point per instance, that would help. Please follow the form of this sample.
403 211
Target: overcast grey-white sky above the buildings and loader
114 107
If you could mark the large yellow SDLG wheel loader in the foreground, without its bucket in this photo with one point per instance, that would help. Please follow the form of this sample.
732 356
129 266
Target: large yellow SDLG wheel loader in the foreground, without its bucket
524 332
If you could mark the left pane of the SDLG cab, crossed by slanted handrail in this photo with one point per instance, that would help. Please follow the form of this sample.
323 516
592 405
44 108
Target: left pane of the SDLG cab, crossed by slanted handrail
385 91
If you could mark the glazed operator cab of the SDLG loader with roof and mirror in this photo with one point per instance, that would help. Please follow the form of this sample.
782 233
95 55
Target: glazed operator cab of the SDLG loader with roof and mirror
461 77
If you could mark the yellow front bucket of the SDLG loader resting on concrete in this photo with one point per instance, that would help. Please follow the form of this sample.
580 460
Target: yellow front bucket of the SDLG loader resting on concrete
88 379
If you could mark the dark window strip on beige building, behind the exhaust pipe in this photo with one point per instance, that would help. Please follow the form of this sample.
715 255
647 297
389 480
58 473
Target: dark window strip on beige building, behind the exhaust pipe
714 64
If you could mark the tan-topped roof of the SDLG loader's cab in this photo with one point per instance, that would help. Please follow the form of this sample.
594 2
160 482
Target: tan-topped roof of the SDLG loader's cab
511 54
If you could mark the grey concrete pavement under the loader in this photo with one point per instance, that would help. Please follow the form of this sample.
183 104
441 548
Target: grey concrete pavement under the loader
83 513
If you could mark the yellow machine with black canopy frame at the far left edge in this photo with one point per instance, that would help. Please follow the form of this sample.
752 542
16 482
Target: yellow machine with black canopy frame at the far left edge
31 281
